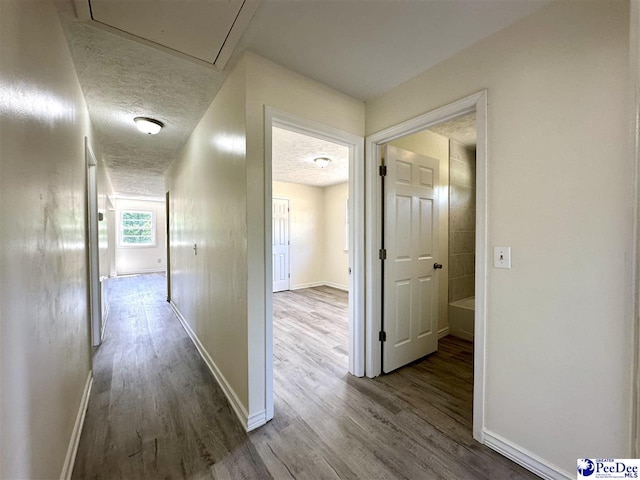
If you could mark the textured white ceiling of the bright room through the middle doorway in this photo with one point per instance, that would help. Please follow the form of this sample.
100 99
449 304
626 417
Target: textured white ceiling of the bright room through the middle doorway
293 154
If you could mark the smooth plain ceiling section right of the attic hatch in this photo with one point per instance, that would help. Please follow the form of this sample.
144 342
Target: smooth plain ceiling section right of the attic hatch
366 47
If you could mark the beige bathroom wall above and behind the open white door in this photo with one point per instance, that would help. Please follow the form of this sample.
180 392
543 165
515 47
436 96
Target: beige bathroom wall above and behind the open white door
436 146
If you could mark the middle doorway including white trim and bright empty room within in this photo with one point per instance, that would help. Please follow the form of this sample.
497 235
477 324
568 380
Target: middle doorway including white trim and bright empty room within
314 212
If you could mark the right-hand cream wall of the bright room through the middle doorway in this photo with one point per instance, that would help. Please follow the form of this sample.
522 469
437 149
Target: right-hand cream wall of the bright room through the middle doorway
336 258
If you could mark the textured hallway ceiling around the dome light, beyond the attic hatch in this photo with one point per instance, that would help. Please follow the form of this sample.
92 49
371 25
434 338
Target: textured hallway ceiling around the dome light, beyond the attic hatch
122 79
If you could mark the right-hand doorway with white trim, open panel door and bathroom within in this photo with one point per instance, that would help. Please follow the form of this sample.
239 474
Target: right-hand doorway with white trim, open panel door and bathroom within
425 249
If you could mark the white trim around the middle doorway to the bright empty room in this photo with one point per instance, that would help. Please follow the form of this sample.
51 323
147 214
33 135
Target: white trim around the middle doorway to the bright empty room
277 118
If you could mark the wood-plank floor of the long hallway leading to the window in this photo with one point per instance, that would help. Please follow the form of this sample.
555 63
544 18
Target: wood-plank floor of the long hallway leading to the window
155 410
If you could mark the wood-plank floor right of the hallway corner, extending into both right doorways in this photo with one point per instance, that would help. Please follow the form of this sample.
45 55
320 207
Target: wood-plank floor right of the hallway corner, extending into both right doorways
414 423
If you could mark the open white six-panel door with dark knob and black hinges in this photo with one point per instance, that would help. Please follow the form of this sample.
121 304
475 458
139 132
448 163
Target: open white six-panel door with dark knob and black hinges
410 238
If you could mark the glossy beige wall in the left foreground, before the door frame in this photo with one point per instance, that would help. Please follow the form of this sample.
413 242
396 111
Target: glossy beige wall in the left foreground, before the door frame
44 334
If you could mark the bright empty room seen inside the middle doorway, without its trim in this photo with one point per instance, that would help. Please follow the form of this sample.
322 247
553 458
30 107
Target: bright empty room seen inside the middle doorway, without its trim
310 254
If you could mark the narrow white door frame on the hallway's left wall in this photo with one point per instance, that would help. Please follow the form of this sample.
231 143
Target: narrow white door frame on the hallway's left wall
93 248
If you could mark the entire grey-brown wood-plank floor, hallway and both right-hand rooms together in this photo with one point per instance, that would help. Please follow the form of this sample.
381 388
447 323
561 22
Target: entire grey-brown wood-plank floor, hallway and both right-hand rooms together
156 412
